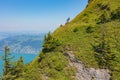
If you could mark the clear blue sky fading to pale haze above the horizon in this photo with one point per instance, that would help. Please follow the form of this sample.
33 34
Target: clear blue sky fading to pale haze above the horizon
37 15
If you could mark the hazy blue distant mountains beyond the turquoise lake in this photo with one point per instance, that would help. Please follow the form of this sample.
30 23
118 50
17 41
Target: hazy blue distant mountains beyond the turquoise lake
22 43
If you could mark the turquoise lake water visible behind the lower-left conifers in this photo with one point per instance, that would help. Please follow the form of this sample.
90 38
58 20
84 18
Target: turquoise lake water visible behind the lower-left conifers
27 58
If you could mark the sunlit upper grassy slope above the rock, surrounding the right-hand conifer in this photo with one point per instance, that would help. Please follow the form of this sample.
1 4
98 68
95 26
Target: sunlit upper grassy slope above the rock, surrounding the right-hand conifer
75 33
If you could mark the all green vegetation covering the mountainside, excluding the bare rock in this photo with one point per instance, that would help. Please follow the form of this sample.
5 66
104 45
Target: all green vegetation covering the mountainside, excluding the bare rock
82 36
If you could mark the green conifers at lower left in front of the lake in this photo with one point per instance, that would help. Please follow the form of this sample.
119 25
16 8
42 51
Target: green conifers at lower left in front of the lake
12 70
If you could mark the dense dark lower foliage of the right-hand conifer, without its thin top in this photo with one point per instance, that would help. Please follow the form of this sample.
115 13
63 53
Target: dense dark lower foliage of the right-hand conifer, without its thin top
104 56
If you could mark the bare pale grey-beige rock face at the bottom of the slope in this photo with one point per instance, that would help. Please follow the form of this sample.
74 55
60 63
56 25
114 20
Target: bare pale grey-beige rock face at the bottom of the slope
84 73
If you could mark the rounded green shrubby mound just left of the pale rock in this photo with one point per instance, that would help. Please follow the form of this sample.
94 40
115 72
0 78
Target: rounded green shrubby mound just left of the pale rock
55 66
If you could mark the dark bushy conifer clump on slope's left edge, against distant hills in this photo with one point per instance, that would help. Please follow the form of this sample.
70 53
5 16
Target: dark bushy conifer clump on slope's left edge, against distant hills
50 43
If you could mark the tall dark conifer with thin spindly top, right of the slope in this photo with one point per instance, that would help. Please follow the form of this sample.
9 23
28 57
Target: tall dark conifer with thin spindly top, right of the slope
104 55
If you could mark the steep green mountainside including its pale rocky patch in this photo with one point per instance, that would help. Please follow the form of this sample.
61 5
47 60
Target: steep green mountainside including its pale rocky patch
75 58
